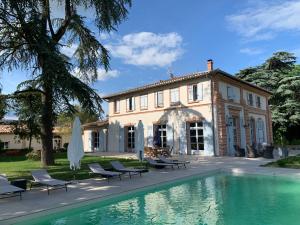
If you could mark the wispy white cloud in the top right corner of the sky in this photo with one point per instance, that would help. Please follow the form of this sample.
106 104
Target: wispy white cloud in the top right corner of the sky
265 21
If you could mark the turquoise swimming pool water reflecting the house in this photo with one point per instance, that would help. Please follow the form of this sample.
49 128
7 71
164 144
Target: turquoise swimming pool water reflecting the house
218 199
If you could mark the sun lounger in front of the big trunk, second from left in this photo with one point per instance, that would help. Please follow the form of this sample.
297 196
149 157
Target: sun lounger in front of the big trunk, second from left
42 177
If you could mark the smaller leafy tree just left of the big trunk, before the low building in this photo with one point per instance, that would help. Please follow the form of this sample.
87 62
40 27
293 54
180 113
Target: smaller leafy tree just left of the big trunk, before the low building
27 106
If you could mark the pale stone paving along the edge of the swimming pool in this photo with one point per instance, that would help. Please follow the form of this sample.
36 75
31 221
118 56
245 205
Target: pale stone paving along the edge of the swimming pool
38 201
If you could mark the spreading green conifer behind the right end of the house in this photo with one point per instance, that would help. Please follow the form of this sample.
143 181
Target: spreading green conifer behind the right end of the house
281 76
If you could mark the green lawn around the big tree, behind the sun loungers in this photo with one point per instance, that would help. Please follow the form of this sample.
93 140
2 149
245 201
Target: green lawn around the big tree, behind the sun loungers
16 167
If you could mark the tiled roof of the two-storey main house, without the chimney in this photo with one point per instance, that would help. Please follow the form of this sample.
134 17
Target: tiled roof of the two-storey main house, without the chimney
179 79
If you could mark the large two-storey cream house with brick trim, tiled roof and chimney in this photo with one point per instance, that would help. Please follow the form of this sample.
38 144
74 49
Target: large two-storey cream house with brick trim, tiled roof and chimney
205 113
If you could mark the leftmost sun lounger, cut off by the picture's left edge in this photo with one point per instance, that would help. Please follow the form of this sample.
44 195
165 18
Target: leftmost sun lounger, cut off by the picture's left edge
7 190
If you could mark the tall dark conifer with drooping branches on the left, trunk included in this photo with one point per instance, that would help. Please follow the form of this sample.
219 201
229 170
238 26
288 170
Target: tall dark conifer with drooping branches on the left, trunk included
31 37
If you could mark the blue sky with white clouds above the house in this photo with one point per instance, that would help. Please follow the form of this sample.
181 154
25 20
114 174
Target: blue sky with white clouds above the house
182 35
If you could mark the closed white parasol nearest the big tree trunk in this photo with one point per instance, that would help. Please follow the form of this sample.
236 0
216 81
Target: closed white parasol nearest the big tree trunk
75 147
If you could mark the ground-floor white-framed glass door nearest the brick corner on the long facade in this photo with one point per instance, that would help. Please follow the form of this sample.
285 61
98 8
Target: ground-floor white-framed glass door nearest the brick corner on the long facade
196 136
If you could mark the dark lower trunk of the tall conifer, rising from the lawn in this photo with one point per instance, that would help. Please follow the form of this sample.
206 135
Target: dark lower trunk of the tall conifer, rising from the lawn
47 127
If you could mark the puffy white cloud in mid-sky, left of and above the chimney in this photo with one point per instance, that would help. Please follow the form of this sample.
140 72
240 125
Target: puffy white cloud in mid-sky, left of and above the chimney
148 49
